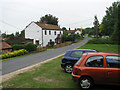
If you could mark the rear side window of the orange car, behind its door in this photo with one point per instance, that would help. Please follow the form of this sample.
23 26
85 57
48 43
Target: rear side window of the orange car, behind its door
94 61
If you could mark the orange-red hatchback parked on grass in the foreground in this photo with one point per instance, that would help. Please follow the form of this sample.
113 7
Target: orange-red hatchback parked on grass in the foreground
97 68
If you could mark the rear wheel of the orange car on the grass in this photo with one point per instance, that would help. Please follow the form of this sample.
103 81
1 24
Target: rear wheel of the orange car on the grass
85 82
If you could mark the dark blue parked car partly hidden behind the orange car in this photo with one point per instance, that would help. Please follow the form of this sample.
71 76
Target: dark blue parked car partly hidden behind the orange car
71 57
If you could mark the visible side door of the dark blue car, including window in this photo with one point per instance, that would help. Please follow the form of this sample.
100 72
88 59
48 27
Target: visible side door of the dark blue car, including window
74 56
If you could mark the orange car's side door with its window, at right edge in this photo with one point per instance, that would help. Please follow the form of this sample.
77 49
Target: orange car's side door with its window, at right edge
113 69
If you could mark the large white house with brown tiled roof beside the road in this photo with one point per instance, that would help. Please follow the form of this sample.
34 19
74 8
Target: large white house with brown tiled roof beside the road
42 33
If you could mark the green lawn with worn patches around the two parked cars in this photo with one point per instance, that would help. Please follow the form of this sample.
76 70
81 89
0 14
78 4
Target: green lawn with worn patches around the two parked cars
51 75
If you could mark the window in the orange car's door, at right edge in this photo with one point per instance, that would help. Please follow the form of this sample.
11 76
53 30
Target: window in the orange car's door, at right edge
113 61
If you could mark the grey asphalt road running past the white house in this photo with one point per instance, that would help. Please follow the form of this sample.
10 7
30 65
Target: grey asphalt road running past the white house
22 62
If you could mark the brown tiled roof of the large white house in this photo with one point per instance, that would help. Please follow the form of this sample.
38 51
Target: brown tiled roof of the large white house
48 26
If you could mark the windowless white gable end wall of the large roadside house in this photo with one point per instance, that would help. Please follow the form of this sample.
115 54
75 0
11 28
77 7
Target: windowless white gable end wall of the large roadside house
33 31
